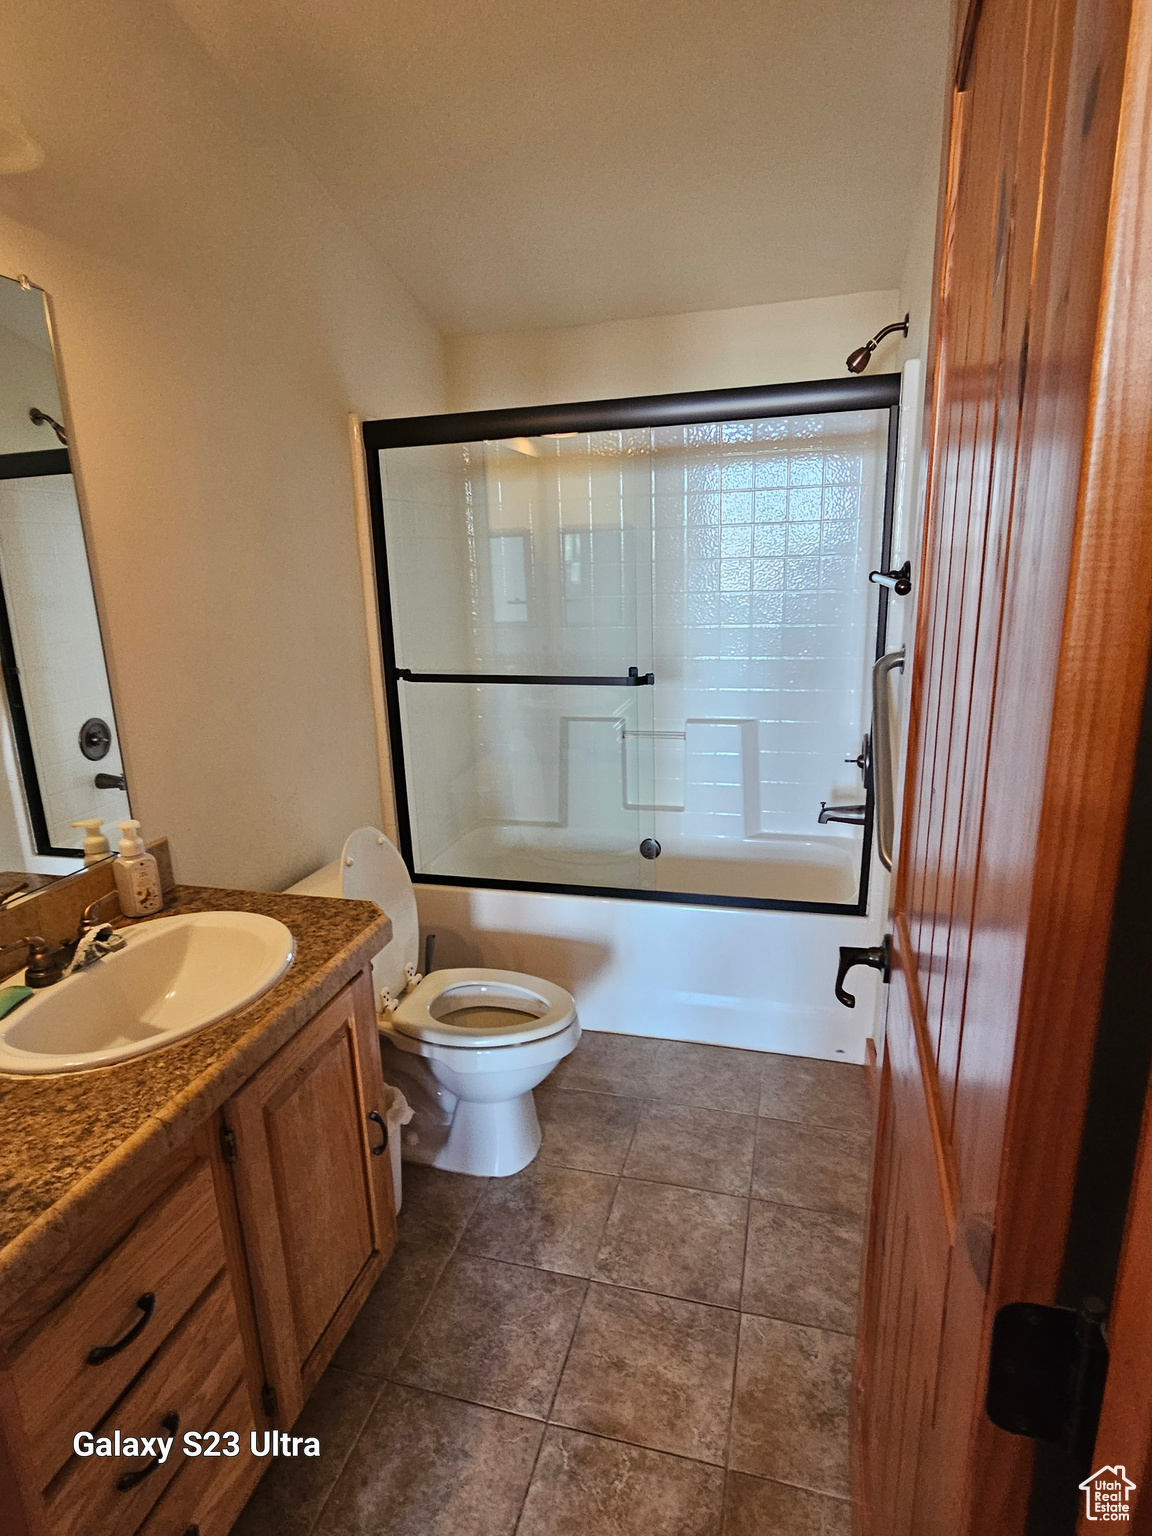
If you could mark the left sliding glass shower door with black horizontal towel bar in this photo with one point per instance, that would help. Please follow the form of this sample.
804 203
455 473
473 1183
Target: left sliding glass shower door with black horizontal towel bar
518 597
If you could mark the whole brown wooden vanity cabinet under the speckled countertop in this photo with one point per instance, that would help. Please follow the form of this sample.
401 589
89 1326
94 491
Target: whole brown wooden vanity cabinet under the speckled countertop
211 1299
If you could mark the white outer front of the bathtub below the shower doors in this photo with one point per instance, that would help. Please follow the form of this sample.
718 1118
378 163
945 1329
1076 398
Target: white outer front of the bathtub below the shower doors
753 979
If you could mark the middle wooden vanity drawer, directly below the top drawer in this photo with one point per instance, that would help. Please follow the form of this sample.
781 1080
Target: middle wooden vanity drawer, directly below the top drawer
194 1374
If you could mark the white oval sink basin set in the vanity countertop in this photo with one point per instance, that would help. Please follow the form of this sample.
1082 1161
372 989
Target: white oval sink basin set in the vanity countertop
174 976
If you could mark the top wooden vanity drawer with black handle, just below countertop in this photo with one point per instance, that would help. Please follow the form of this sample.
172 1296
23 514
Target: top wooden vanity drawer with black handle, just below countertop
171 1254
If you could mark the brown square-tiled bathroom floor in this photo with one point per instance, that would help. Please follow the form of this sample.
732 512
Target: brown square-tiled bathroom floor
649 1332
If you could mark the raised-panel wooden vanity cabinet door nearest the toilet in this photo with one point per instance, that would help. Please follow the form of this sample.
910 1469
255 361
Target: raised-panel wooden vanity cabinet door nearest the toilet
314 1190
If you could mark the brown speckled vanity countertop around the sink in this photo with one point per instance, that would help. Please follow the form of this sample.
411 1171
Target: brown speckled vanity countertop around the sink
70 1145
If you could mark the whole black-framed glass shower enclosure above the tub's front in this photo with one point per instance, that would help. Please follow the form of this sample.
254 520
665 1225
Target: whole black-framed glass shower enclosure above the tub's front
627 644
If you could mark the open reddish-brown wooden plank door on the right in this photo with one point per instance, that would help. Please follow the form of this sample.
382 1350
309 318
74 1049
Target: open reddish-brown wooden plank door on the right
1031 654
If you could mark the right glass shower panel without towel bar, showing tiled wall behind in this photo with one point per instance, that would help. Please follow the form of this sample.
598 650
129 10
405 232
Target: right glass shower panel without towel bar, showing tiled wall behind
764 637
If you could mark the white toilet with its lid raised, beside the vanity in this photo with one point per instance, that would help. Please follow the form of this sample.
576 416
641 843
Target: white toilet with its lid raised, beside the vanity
466 1047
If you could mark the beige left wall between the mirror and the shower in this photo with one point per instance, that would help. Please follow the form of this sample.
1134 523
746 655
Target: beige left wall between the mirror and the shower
217 320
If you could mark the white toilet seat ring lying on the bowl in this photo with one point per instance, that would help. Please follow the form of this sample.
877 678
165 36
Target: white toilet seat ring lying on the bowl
523 1008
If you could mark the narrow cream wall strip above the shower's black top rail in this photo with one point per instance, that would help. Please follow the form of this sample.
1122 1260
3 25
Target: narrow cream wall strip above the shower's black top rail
666 354
